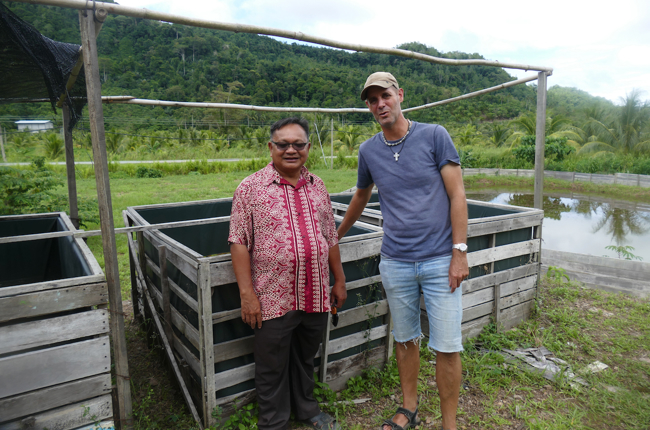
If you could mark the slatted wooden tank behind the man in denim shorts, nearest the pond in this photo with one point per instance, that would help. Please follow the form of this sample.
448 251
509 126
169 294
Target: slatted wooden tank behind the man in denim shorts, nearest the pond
504 248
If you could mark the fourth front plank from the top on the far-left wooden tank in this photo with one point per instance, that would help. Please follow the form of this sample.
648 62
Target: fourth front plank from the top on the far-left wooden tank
54 397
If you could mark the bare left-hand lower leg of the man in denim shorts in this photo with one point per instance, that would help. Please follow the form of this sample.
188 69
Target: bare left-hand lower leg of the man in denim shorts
408 365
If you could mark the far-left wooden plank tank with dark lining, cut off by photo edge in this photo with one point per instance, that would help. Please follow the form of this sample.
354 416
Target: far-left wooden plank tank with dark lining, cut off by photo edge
55 357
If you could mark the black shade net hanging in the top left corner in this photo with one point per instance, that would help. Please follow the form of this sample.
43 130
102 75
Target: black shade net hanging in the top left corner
34 67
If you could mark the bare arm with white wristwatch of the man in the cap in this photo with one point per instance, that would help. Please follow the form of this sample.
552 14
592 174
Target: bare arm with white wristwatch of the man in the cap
452 177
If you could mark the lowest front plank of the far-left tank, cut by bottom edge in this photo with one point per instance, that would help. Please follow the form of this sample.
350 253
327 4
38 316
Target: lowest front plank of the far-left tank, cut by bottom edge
67 417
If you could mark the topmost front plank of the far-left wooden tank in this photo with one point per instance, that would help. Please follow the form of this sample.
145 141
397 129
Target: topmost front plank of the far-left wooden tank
52 301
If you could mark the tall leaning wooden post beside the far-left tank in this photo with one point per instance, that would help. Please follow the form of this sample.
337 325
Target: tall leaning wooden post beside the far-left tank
96 117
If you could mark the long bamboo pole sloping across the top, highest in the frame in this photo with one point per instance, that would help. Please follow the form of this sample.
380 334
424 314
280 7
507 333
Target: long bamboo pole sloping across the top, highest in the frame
134 12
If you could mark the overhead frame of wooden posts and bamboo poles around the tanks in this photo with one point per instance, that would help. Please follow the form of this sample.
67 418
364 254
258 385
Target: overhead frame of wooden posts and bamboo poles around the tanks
92 13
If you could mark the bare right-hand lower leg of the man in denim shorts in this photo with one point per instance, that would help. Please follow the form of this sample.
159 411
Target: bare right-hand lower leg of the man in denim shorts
448 375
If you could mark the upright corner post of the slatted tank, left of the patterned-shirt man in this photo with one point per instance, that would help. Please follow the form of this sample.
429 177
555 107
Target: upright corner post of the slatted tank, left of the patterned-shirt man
206 342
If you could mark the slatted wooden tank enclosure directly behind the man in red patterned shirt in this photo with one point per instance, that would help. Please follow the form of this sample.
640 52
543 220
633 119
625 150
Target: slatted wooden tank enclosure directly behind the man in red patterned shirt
183 280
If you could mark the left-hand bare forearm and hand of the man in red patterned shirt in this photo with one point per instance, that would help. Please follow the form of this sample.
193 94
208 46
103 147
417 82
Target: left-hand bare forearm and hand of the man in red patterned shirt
251 311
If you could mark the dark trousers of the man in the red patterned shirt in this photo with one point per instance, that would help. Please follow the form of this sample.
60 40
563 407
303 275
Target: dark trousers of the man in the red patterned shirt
284 367
